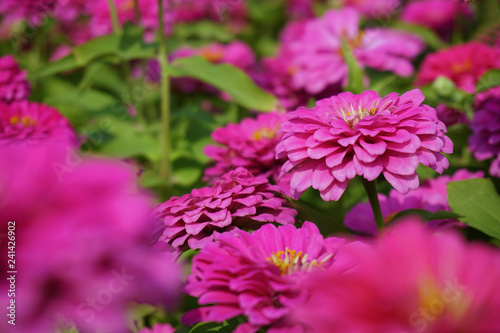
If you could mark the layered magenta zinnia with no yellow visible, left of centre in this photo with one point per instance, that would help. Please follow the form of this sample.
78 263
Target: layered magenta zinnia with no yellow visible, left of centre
238 199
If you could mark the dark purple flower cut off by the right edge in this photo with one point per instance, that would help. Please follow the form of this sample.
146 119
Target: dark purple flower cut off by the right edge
484 142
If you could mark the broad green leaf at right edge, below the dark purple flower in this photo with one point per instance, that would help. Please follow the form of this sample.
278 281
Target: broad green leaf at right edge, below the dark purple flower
477 200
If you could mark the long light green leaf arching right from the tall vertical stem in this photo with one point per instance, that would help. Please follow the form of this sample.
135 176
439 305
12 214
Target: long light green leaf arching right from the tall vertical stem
227 78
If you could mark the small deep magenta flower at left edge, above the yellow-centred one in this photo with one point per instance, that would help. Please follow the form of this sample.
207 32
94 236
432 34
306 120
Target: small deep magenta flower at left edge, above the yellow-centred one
13 83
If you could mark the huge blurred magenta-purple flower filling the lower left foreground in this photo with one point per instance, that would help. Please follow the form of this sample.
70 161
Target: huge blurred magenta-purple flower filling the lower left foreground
81 228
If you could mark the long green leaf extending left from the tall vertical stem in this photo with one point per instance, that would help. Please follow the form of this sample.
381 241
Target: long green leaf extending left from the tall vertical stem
124 47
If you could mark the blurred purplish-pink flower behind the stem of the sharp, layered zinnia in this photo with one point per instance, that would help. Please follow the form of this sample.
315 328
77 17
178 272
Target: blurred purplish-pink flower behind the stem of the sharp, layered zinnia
431 196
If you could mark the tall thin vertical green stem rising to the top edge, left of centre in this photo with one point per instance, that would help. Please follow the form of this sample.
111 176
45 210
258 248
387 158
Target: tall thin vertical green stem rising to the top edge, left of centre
165 98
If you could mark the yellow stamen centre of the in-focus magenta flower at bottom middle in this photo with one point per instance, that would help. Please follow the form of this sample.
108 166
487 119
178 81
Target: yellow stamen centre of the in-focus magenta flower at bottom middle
291 261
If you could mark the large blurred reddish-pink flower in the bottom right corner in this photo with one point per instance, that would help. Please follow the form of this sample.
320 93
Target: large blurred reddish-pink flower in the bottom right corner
411 281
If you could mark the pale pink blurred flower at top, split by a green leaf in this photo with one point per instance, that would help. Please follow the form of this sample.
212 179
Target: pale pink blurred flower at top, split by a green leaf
318 60
